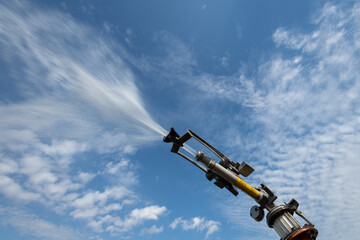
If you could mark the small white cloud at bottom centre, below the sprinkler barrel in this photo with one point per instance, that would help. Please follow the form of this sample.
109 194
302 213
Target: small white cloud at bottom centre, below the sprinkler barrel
198 224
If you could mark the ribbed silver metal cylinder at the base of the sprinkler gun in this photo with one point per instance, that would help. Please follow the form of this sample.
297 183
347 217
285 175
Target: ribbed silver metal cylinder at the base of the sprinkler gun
285 224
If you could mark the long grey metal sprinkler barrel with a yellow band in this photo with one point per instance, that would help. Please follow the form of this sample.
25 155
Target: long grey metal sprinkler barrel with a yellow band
228 175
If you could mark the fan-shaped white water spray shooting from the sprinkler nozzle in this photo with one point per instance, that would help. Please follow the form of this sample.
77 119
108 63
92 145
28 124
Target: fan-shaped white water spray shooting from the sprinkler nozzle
75 79
